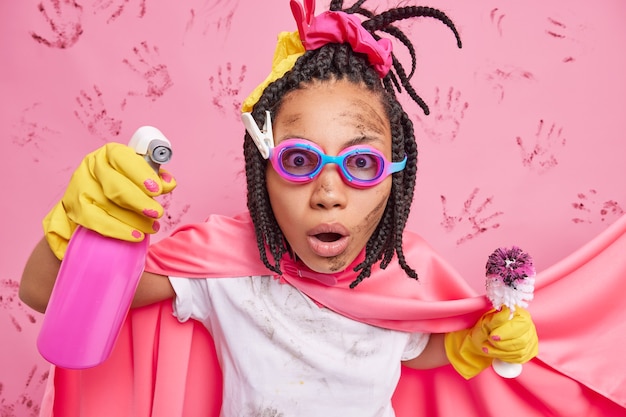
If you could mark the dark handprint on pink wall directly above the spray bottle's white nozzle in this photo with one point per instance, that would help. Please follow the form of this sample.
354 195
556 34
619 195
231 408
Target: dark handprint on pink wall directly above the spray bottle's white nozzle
147 64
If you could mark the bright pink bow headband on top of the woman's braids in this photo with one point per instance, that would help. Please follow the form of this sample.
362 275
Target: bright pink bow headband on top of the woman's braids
340 27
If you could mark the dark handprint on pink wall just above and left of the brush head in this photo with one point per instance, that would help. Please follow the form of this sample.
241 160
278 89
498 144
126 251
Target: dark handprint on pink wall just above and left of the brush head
474 218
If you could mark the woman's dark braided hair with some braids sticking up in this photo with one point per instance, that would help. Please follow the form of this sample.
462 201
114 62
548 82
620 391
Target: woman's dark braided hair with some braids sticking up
336 62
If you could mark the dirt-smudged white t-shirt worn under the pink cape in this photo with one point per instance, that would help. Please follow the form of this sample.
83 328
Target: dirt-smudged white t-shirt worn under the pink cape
283 355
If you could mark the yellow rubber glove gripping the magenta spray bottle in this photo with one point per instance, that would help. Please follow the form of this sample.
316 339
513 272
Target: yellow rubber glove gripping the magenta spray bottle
111 192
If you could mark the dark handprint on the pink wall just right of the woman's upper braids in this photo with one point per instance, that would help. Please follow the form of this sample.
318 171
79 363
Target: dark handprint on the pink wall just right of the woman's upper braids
446 114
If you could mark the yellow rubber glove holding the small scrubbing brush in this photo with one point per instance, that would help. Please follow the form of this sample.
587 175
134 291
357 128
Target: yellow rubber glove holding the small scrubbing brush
495 335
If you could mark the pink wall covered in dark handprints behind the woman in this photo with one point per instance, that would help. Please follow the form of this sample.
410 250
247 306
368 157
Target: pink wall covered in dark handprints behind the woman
524 145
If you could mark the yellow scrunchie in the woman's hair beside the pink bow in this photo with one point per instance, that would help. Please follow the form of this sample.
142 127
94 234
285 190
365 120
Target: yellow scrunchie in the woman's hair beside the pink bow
288 49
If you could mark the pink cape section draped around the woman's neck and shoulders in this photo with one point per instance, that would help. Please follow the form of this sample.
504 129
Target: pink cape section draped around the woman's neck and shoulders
440 301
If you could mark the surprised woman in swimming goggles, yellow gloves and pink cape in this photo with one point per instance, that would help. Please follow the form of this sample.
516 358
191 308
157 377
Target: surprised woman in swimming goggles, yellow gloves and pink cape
316 296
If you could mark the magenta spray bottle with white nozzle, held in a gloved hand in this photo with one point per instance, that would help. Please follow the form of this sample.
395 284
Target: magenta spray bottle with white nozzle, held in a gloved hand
96 283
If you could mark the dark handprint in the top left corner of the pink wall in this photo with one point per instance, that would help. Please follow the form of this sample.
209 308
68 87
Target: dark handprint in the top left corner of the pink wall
64 20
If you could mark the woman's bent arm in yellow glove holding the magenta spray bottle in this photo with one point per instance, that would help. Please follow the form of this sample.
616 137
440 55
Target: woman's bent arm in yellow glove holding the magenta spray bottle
111 192
